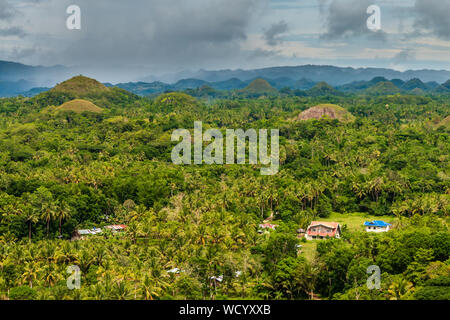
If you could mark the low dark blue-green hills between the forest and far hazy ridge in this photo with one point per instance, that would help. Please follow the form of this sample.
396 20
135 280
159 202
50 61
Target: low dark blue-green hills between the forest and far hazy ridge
259 86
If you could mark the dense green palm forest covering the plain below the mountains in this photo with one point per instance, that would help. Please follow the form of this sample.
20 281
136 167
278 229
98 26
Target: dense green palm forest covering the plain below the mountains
65 170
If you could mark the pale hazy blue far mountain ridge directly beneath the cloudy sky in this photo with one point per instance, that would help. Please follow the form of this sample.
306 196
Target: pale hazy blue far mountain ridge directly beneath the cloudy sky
16 78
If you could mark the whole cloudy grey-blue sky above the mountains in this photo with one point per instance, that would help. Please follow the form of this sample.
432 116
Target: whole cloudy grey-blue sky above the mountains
127 40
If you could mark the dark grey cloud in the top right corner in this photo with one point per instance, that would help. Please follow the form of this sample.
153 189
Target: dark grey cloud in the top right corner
433 16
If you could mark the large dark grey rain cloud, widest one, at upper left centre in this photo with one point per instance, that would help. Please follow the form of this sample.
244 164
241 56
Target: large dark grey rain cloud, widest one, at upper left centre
164 33
